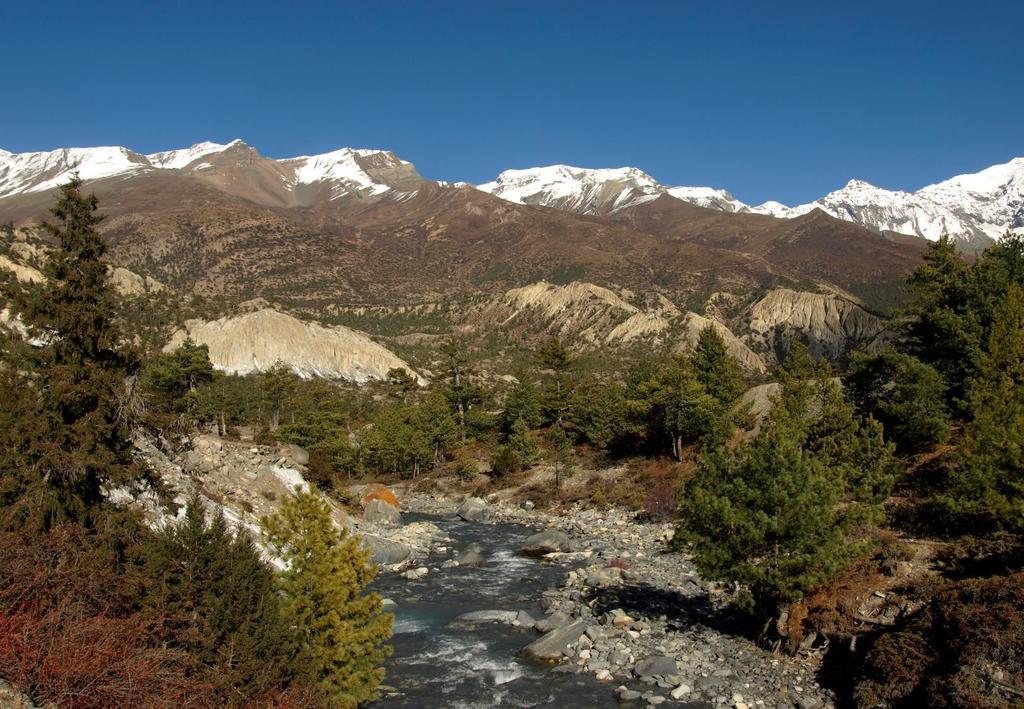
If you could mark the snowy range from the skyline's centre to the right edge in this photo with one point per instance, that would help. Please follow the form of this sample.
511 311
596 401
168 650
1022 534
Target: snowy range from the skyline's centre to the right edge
972 208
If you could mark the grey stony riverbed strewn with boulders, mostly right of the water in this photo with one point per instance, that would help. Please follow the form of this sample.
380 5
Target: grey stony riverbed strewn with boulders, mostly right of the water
626 613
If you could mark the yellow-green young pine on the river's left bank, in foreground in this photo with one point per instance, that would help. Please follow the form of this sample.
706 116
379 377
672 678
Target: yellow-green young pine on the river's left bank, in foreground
344 634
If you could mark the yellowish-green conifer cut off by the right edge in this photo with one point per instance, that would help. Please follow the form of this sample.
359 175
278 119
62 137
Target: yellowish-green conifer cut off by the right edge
990 478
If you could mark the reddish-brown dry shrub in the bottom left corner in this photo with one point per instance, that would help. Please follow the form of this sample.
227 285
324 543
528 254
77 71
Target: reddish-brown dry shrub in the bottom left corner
70 635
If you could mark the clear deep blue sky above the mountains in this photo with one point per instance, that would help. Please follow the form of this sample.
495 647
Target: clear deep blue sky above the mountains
772 101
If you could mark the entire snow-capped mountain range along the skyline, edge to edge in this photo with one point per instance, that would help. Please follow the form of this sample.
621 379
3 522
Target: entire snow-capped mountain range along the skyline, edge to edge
972 208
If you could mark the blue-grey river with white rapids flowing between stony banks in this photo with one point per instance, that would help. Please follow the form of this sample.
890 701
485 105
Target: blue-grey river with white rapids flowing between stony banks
441 664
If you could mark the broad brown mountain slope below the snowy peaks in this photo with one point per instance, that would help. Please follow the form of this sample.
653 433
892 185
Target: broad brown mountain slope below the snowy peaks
228 230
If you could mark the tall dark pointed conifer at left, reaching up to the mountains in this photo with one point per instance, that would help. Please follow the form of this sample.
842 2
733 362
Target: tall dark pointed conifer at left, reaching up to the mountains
74 434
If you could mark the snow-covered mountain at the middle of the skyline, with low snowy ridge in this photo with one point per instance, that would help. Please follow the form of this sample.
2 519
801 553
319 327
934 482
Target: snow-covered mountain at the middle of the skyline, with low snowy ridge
596 192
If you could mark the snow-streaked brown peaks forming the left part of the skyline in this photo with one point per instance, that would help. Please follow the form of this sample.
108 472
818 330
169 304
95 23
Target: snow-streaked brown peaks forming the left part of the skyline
235 168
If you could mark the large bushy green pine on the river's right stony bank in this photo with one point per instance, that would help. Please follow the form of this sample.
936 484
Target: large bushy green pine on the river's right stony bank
784 515
